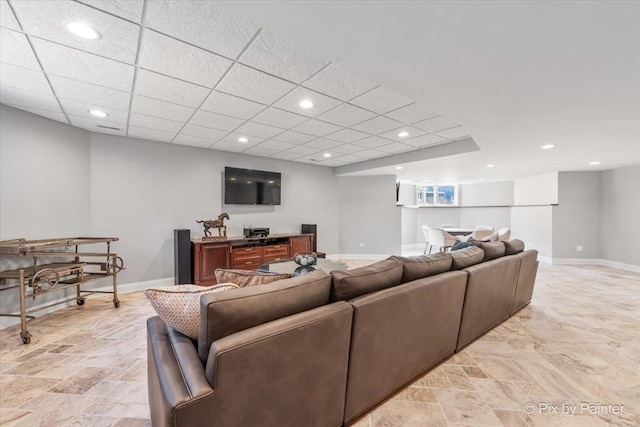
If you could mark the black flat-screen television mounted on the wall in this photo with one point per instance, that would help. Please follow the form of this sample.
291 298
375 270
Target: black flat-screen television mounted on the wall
251 187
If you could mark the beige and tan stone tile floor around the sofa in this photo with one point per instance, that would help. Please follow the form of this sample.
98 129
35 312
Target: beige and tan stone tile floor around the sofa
577 344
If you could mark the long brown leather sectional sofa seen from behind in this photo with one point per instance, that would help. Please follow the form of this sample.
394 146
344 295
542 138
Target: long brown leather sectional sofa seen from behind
323 350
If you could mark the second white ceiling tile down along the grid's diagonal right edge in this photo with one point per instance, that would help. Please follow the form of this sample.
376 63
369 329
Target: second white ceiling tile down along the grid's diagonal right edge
282 58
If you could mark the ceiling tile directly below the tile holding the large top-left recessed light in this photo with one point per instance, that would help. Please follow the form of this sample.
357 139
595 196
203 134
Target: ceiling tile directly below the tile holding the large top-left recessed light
75 64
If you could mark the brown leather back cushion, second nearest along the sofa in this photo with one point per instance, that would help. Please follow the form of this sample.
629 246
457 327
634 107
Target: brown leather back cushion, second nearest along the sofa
348 284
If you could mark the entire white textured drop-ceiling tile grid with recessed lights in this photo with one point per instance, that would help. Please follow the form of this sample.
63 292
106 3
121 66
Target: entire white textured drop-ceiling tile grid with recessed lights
189 73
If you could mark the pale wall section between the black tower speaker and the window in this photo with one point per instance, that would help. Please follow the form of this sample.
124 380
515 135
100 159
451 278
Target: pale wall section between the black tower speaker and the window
369 215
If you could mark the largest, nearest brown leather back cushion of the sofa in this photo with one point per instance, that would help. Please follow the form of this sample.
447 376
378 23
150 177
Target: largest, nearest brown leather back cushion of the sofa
226 313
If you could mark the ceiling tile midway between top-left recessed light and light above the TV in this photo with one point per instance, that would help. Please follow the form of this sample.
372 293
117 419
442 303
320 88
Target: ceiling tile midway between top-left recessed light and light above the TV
168 89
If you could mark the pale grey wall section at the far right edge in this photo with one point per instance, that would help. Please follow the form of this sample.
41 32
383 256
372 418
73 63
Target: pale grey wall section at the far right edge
620 213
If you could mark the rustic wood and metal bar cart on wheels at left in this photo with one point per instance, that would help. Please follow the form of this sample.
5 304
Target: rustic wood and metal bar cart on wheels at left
74 269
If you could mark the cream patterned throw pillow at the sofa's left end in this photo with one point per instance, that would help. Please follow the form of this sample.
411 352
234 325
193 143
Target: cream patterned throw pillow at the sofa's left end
179 306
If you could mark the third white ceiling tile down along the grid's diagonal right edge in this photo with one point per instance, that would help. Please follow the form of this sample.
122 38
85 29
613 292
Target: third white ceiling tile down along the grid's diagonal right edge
338 82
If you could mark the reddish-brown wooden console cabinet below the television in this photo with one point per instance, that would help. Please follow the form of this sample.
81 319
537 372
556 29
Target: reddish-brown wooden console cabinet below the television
243 253
